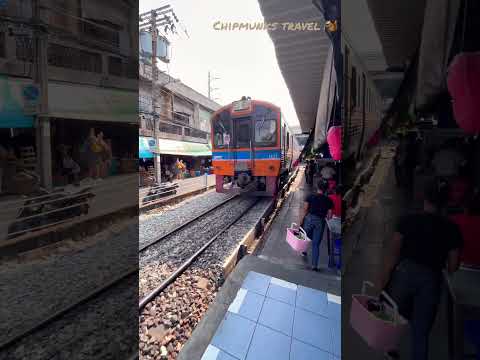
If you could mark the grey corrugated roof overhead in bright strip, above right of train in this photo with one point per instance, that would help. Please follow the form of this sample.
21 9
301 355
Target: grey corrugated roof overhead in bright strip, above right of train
301 55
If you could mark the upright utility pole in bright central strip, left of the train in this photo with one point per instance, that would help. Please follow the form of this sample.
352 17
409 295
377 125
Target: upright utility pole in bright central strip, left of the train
154 32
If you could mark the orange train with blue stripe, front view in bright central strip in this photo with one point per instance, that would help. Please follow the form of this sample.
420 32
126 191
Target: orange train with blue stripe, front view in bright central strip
253 149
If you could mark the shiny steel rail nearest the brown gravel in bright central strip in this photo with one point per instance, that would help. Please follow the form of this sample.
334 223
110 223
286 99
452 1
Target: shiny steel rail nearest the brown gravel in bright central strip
180 270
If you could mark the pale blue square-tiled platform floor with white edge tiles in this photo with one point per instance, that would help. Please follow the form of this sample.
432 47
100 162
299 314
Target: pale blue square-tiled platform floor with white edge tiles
274 319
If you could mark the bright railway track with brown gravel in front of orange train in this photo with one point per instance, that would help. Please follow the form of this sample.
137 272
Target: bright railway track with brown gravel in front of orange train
178 295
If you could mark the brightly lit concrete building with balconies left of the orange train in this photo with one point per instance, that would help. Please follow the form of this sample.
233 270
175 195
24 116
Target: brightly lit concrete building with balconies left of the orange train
181 116
